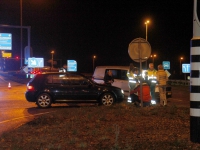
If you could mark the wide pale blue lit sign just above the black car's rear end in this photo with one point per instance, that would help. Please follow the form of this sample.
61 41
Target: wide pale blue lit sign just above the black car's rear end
35 62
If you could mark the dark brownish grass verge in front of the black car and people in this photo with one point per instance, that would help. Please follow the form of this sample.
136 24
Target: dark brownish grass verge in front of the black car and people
121 126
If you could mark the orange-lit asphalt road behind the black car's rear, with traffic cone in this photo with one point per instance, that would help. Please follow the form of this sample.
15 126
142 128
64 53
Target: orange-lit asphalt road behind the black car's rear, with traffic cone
14 109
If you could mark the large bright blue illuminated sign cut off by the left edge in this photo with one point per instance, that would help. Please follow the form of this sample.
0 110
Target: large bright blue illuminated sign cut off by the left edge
5 41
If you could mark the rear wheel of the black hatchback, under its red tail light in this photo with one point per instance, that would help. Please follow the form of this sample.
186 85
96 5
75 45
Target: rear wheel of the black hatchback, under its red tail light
44 100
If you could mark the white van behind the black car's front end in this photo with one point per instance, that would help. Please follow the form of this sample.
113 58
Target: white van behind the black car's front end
119 74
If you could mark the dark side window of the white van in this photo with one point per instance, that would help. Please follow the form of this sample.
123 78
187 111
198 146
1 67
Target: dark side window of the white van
118 74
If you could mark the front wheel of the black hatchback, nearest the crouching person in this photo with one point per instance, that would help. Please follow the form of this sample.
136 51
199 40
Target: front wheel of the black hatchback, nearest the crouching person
107 99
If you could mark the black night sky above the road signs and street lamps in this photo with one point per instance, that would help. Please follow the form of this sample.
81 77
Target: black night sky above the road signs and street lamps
79 29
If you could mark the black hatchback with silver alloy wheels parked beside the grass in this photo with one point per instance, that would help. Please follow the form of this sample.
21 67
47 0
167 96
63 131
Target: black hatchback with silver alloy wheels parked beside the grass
69 87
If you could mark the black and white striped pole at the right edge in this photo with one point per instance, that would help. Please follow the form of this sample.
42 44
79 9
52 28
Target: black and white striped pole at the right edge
195 78
